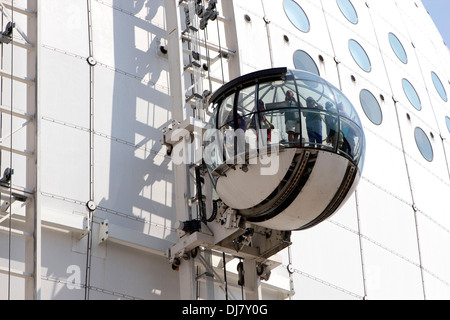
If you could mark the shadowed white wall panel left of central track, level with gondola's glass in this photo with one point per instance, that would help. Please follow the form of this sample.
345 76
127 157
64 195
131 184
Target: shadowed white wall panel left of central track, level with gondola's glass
125 108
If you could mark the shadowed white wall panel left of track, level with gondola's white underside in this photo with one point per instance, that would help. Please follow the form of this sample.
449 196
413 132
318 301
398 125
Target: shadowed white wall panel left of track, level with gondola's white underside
149 204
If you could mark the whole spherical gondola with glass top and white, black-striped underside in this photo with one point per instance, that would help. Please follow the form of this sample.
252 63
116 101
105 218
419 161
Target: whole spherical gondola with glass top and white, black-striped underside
285 148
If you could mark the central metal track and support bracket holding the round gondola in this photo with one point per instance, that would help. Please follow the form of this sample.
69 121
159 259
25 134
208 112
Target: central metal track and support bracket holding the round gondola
191 55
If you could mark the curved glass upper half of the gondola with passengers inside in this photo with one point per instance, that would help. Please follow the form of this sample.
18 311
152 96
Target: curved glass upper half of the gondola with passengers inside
289 108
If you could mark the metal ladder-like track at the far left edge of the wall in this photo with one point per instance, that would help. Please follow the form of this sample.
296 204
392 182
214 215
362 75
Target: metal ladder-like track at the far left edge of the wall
19 216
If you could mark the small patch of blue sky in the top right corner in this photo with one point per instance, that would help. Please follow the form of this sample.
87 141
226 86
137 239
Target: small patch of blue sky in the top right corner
439 11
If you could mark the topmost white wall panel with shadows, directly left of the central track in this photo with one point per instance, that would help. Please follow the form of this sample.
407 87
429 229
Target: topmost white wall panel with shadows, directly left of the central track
125 41
